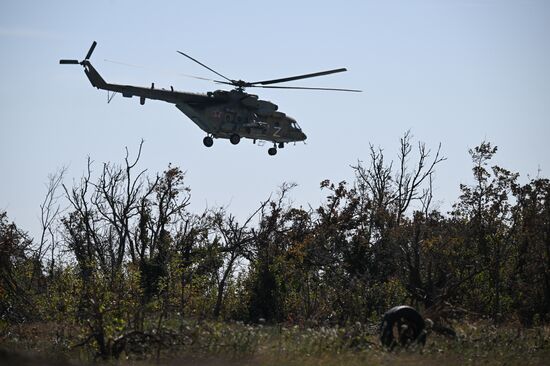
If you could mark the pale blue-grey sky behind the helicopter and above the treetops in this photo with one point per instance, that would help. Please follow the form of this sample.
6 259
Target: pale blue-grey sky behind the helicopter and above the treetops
456 72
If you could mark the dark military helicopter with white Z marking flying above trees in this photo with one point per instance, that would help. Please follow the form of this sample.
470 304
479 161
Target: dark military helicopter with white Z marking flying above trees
231 115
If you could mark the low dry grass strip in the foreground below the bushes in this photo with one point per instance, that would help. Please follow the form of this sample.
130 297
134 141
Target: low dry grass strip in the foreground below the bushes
216 343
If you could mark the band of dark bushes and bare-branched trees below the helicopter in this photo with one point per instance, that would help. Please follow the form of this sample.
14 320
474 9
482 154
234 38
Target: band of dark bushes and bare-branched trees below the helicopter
126 270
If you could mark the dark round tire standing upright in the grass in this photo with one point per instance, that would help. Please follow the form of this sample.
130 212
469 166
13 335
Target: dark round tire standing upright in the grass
402 325
